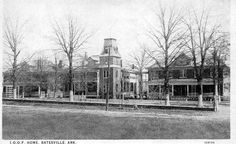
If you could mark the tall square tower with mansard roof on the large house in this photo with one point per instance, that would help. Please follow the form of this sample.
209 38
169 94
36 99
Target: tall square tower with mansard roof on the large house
115 68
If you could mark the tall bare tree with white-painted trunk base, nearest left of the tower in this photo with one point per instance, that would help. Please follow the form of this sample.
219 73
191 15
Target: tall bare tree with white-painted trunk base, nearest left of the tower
70 39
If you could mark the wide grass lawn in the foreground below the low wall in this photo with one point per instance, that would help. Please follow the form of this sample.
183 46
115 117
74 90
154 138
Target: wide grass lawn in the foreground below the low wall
38 122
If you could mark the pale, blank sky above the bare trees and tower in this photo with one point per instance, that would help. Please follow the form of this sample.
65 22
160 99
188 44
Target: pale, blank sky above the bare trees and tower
125 20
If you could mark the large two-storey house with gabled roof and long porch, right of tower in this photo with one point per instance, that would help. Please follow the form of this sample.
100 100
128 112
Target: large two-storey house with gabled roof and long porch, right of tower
182 80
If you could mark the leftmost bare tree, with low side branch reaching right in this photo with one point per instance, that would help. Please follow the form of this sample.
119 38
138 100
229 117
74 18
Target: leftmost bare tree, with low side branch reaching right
13 37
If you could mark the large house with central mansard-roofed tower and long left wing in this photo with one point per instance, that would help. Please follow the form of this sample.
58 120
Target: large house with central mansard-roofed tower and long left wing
90 78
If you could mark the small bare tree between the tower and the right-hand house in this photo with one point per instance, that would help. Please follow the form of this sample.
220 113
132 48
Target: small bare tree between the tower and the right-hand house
139 62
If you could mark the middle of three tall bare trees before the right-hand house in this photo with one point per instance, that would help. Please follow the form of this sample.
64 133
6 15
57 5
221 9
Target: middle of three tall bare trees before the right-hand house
200 40
